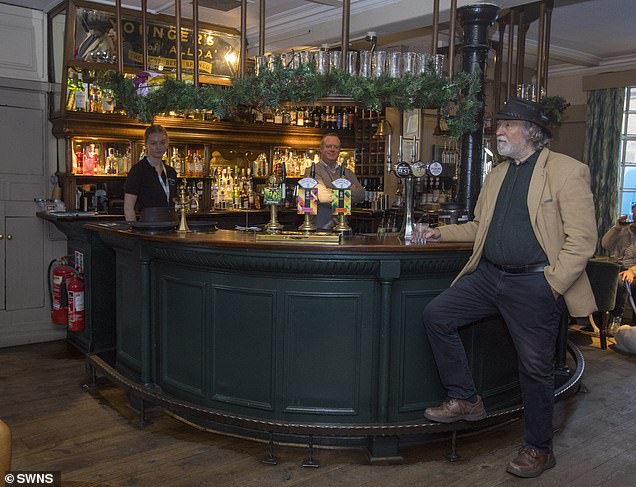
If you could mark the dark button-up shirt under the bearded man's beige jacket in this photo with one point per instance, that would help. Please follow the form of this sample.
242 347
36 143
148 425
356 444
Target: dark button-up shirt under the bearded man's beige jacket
510 239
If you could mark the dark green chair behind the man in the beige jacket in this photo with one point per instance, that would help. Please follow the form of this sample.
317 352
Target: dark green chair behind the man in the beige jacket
603 276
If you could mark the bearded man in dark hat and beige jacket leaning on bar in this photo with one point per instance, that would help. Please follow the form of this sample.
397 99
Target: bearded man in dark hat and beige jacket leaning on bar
533 232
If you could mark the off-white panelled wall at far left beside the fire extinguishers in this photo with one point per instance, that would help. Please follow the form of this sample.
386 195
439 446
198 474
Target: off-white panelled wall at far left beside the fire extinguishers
25 91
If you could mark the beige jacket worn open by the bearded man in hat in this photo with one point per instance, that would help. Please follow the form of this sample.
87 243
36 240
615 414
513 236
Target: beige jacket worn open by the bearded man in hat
563 219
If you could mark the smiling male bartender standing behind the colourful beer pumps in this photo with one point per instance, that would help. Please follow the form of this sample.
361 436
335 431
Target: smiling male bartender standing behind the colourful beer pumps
327 170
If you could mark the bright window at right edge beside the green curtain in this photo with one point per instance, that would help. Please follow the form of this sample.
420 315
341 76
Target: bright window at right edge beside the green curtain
627 193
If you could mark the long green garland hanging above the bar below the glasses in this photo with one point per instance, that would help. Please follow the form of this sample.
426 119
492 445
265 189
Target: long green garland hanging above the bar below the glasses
457 98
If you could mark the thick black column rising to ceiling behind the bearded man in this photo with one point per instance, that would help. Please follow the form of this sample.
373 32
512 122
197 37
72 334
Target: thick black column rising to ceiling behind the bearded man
475 20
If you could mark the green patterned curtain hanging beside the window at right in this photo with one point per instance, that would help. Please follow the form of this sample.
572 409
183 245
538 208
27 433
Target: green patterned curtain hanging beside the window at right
602 152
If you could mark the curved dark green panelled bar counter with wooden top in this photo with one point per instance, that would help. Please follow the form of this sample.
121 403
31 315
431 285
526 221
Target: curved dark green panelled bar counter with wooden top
296 342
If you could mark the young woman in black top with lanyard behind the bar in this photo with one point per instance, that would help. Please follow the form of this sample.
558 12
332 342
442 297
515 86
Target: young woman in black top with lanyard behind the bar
150 182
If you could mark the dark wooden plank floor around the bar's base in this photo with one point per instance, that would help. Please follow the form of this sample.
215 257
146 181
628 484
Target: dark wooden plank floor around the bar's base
95 440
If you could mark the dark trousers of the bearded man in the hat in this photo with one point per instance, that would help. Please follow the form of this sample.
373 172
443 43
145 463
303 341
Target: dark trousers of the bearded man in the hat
532 314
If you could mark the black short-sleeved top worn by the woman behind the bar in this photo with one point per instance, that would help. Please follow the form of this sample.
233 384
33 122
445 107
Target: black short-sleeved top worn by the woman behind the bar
143 181
